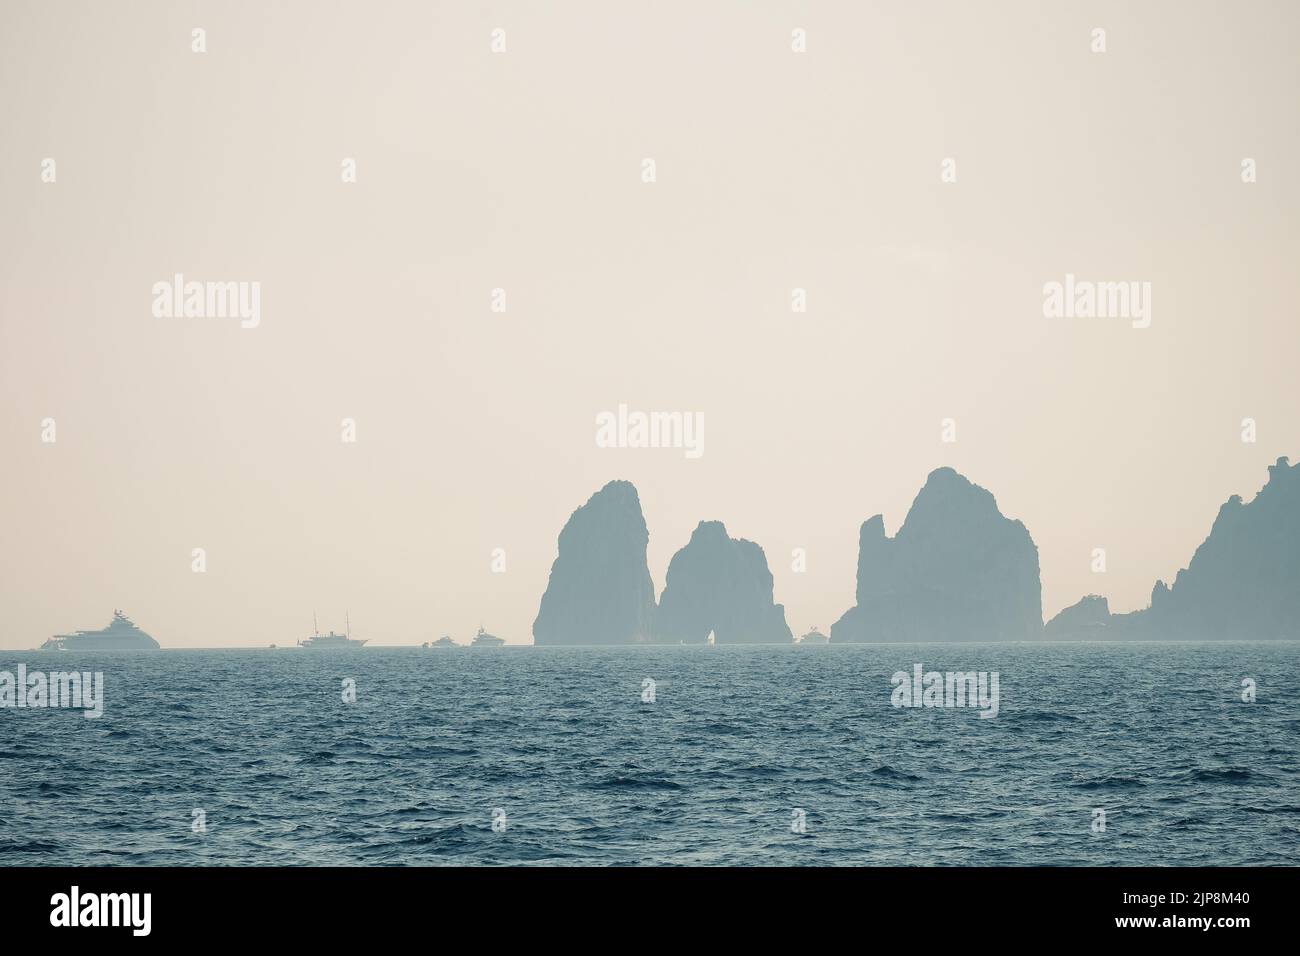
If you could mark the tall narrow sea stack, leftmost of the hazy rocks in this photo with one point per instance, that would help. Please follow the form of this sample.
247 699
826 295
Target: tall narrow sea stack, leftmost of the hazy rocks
600 590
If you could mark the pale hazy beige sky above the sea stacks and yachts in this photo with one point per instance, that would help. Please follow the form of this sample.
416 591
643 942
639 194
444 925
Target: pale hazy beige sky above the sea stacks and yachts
523 171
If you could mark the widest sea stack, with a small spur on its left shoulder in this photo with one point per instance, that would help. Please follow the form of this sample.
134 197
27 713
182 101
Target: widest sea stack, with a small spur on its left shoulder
957 570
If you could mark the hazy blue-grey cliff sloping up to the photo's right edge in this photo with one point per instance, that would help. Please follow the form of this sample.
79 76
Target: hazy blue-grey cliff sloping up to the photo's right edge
1243 583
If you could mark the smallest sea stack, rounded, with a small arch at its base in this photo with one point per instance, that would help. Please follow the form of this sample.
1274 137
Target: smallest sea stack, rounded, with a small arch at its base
722 585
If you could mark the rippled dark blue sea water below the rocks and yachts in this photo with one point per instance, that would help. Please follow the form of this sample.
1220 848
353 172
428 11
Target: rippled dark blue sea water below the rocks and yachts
712 772
